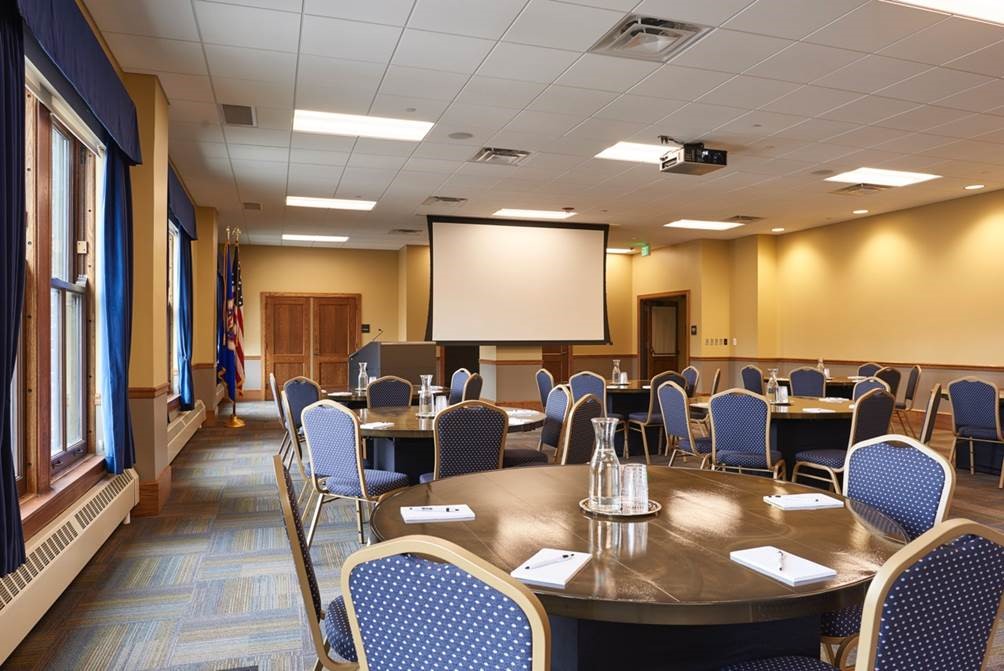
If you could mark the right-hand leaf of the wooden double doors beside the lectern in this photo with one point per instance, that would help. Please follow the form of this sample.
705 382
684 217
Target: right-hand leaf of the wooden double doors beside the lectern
337 335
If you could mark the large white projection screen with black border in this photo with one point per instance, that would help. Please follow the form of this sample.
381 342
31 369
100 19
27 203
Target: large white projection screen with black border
506 283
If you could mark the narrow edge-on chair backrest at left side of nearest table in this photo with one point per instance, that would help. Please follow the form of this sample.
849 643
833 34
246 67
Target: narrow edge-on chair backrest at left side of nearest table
306 577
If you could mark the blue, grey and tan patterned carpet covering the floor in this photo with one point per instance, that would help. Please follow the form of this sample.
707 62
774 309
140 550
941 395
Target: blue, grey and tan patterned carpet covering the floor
210 585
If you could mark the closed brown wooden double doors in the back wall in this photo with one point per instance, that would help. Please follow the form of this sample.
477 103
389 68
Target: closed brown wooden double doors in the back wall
311 336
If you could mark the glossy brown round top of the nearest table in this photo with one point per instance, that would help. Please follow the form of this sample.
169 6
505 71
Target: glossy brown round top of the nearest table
671 569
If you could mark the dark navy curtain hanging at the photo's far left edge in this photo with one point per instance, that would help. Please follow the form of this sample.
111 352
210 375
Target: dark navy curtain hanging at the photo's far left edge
12 269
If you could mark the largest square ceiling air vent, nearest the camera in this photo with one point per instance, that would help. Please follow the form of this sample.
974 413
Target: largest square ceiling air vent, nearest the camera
649 39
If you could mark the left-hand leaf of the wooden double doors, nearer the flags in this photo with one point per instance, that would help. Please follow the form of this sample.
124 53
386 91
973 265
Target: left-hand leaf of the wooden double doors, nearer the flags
288 339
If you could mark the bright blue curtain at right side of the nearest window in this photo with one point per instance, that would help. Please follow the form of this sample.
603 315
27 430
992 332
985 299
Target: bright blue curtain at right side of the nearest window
117 279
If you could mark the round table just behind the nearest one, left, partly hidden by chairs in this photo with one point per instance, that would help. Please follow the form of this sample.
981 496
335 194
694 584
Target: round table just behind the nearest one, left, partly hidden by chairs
406 446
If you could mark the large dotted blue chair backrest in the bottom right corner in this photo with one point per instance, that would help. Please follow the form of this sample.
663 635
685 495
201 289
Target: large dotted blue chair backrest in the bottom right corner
936 603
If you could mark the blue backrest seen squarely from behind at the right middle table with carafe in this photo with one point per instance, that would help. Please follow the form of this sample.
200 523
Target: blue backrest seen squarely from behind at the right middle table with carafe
740 422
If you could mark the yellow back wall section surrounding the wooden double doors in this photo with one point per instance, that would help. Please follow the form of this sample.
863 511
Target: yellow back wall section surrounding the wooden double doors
372 274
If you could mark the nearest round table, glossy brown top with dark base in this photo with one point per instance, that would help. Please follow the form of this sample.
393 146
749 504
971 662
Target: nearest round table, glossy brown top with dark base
661 592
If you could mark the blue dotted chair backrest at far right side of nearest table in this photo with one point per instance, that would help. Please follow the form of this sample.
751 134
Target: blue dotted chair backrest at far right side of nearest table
903 479
